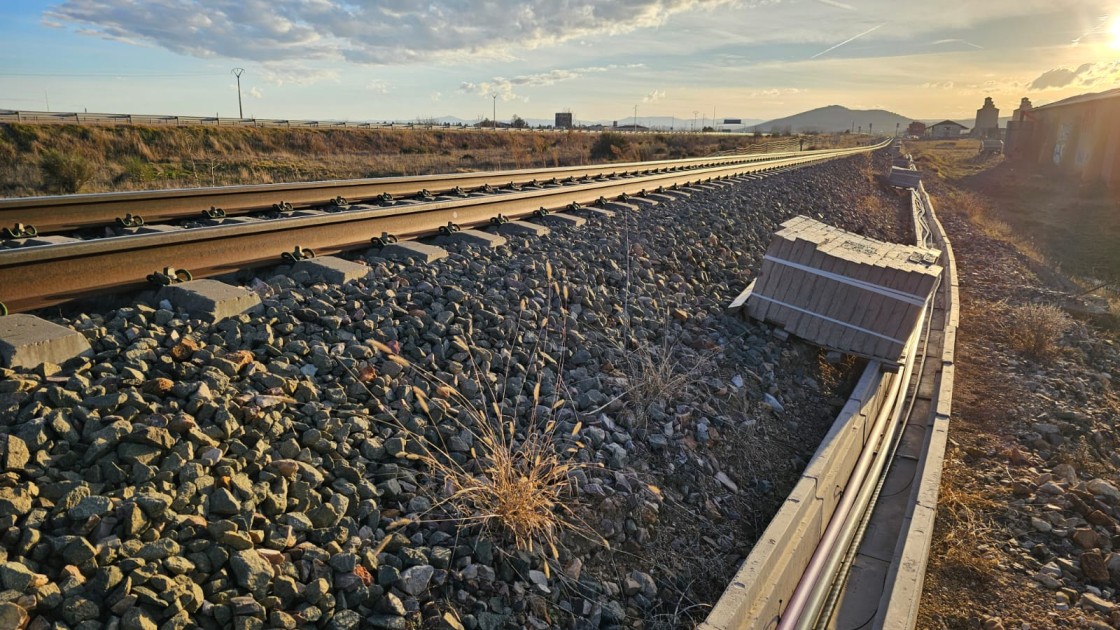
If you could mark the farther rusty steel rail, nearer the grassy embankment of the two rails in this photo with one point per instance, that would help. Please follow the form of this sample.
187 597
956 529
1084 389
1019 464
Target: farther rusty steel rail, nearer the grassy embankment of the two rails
62 214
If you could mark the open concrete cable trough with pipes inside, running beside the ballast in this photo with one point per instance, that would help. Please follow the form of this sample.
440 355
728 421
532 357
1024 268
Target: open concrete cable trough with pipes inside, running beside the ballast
850 548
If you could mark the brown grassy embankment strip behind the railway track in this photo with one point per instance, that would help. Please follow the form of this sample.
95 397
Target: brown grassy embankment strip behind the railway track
161 157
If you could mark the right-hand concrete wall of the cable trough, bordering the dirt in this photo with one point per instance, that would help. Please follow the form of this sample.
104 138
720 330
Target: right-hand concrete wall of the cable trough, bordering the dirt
907 577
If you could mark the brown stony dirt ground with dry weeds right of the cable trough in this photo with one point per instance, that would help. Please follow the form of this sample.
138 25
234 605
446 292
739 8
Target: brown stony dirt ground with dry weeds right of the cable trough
1033 431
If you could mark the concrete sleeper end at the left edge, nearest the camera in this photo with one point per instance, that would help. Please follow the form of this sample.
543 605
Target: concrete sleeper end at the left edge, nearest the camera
27 341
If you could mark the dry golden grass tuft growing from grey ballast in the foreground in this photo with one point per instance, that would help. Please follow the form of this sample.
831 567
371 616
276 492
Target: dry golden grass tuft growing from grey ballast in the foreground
505 471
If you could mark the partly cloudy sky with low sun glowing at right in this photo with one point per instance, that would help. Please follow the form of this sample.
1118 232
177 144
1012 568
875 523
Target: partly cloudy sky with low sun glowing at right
602 60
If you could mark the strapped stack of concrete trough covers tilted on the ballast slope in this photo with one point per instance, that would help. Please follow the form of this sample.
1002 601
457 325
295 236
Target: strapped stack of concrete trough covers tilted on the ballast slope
843 291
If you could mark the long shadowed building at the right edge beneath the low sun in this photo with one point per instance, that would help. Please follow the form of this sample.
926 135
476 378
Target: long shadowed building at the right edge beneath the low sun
1080 135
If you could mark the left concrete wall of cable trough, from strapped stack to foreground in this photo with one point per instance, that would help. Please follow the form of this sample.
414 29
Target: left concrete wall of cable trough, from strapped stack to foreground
761 589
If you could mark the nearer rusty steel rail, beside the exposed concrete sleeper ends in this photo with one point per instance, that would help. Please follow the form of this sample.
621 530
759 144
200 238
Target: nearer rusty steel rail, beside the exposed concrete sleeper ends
35 277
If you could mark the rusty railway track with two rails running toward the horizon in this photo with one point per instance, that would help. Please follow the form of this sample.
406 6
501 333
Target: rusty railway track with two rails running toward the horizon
39 272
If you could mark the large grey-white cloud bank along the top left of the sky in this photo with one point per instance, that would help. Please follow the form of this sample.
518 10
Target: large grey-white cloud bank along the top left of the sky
384 32
